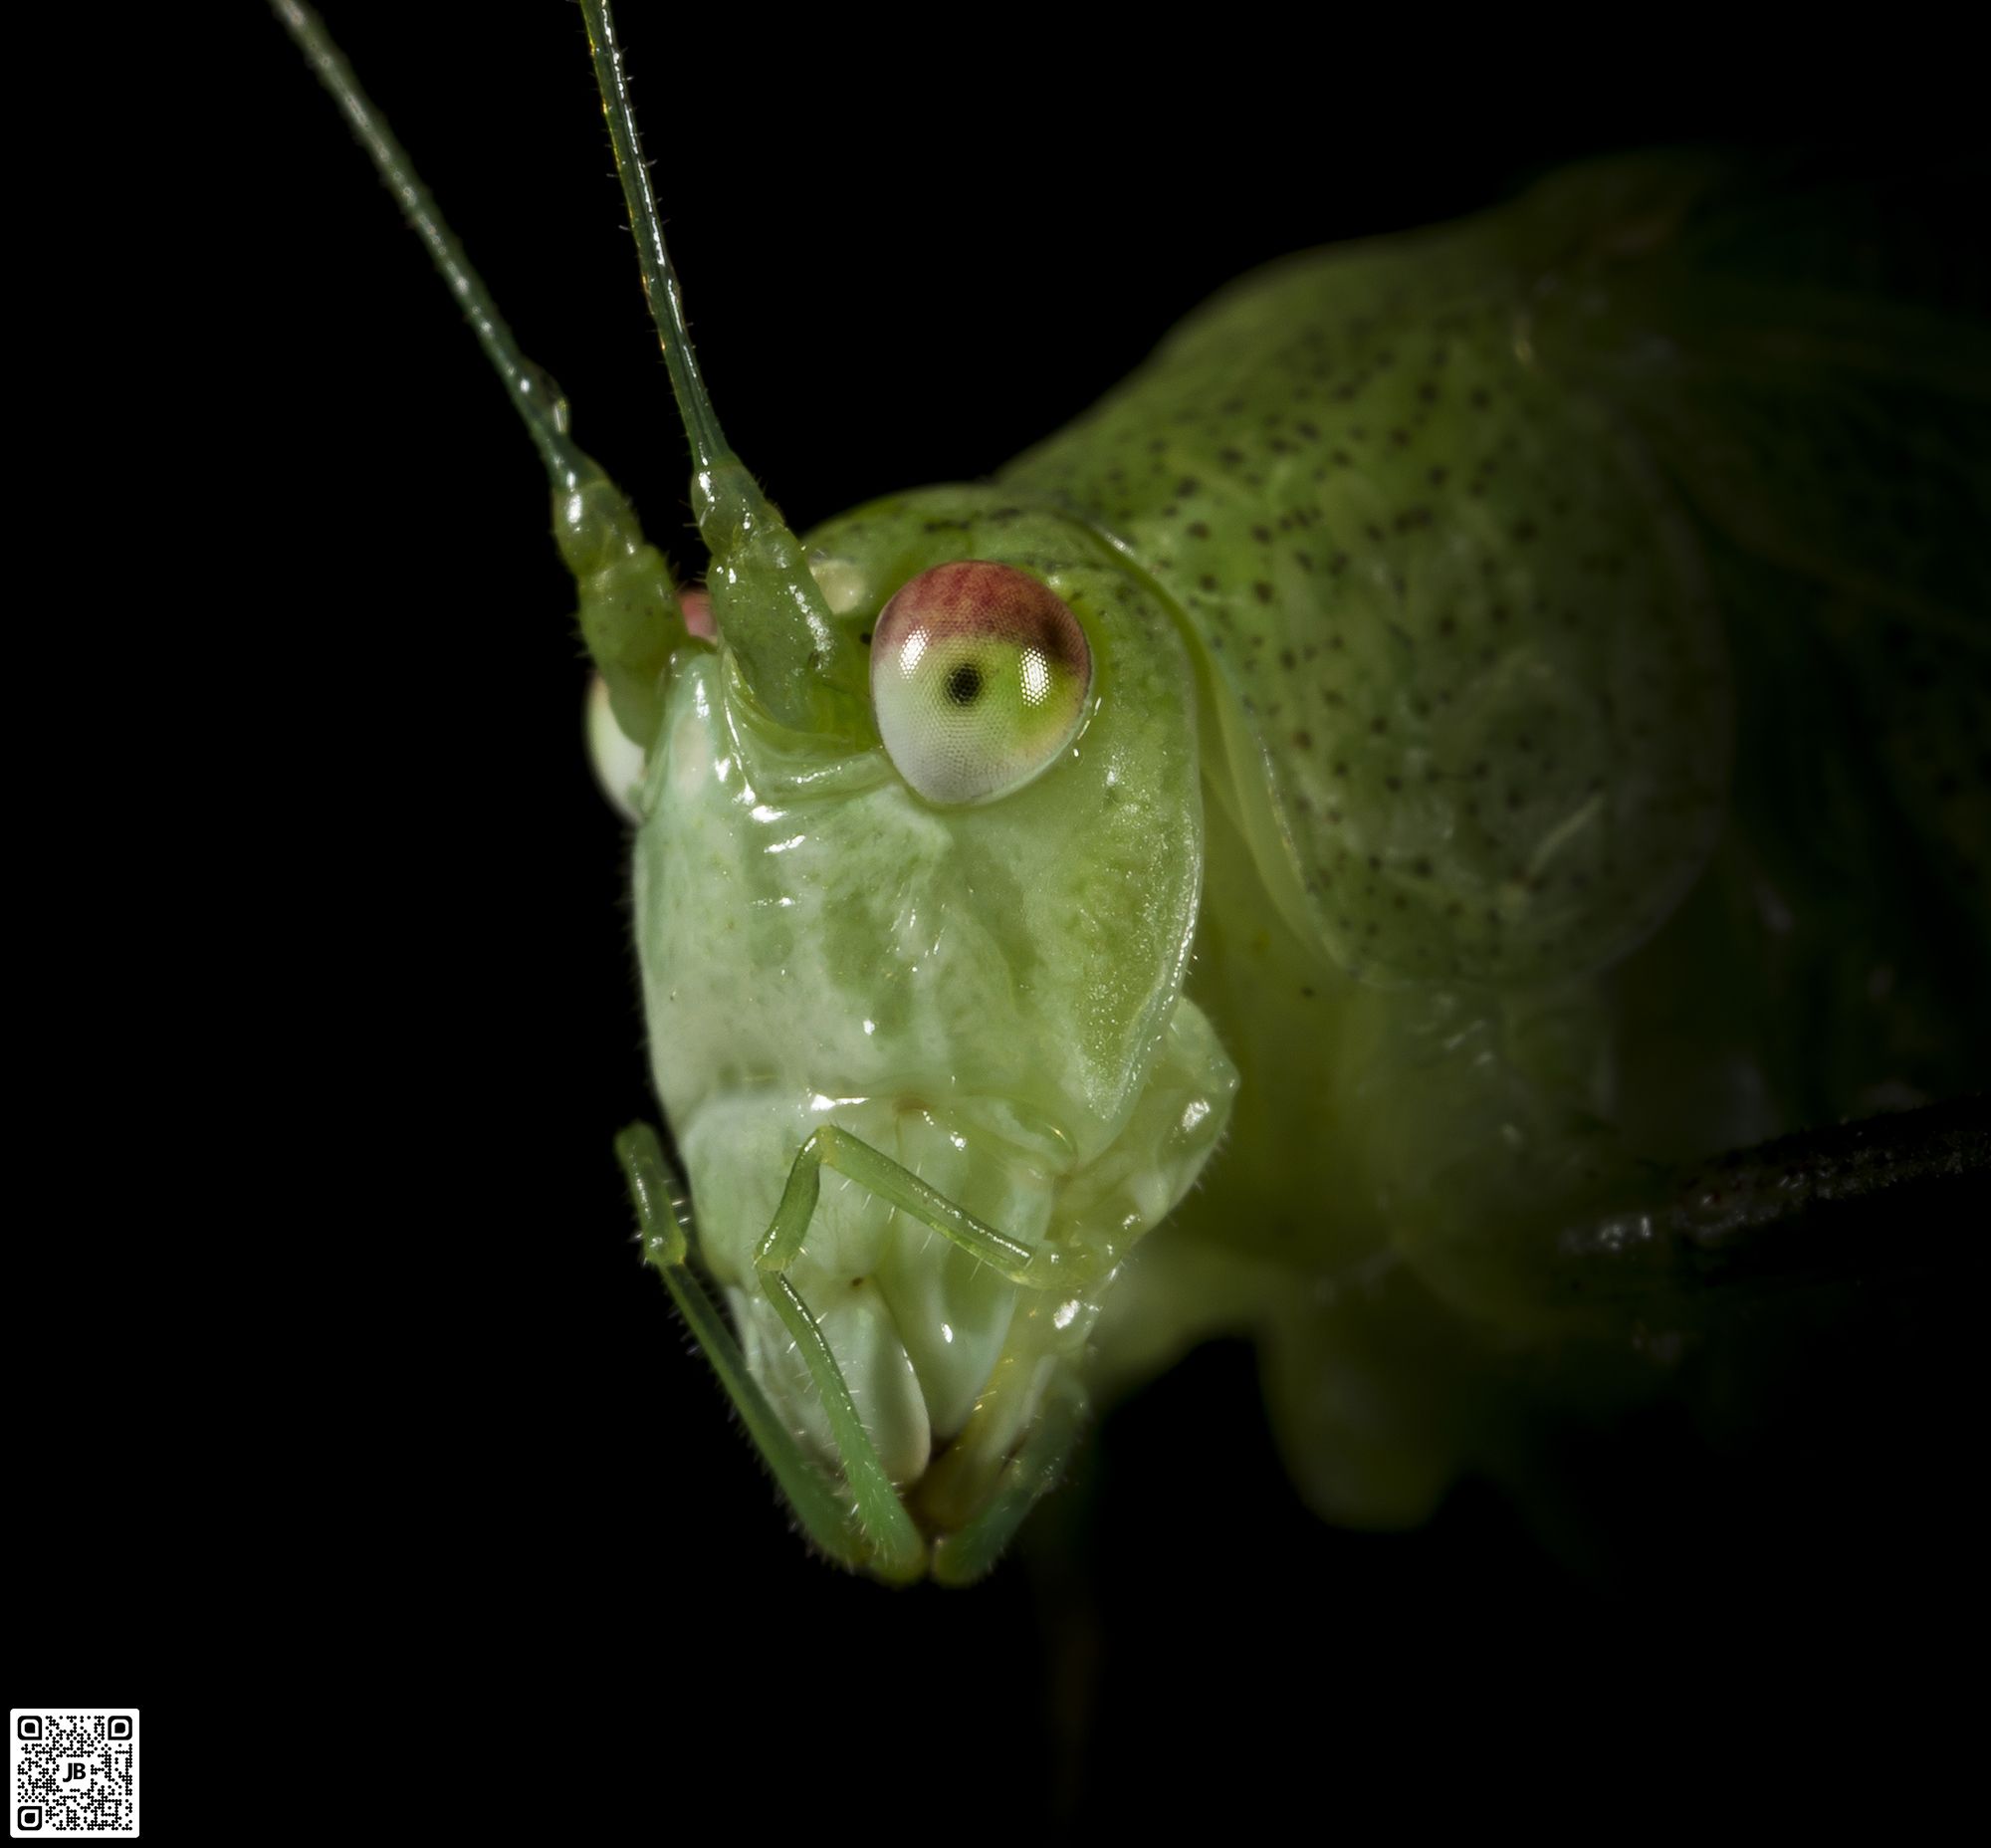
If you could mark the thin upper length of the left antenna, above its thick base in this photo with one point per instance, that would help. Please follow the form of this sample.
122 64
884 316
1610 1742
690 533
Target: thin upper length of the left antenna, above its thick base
533 391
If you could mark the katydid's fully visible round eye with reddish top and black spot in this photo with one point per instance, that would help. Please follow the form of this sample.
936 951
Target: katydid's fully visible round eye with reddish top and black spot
979 678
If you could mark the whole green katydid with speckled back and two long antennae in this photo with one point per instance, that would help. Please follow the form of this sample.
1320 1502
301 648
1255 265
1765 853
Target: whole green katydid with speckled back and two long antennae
1421 760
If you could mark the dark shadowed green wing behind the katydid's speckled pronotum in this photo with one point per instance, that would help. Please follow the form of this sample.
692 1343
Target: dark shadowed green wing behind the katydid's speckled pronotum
1823 403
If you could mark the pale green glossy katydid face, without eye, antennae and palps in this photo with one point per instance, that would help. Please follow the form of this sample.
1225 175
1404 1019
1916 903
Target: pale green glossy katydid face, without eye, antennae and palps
989 993
